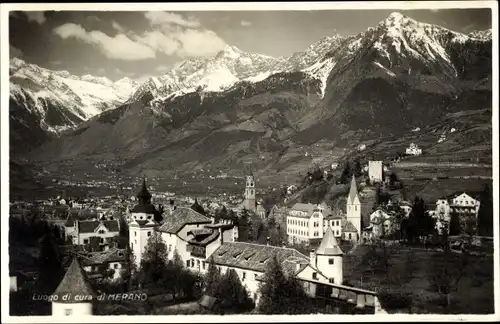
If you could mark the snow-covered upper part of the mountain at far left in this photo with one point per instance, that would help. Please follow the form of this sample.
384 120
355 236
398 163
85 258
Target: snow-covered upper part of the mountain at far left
47 94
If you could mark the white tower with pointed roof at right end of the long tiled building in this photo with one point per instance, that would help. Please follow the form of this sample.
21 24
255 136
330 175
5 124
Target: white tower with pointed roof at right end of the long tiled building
328 259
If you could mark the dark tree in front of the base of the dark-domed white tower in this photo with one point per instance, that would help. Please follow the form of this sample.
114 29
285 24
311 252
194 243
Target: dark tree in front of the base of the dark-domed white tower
153 268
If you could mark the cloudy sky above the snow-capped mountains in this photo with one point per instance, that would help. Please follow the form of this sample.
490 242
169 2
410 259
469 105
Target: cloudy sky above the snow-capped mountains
136 44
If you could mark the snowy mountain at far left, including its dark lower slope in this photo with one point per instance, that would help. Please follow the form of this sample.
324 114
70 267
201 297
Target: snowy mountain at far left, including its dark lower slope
45 102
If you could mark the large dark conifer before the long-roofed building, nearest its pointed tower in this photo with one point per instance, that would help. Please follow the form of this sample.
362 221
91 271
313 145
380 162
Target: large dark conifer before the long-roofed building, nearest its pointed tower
279 294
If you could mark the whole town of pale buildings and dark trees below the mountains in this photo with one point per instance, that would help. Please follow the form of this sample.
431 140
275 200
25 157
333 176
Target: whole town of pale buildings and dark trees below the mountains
238 254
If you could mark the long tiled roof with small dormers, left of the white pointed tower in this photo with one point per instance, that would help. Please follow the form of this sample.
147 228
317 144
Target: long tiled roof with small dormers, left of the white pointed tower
255 257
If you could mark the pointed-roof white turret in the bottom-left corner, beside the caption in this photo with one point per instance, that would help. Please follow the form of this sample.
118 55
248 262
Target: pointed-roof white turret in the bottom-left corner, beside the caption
74 296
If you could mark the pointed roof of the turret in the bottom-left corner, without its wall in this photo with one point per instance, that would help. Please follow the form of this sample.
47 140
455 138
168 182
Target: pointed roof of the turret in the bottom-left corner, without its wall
74 283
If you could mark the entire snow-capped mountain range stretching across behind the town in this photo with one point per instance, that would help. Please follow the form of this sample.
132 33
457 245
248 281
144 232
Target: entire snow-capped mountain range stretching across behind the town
239 108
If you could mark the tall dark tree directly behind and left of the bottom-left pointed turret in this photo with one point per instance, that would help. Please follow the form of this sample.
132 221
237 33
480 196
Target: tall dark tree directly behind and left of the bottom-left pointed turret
50 269
